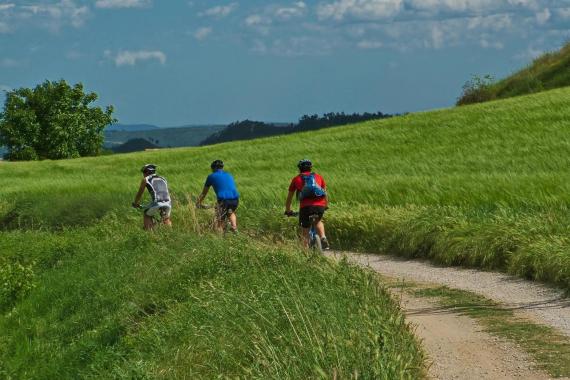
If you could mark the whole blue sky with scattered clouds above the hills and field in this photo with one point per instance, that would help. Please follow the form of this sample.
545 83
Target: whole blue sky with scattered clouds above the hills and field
172 62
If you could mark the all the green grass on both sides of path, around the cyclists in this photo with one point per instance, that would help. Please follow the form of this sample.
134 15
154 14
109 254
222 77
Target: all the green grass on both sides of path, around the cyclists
84 291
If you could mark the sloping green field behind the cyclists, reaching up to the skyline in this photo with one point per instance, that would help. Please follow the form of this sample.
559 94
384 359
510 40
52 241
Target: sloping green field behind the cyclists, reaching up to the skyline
485 185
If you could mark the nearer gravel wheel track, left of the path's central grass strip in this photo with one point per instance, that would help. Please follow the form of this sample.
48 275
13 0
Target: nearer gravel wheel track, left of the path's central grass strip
458 349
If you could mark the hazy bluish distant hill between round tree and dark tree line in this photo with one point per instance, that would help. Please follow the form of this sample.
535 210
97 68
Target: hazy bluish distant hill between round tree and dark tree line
163 137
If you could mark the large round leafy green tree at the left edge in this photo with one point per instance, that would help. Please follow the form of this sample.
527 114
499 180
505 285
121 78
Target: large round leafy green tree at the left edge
52 121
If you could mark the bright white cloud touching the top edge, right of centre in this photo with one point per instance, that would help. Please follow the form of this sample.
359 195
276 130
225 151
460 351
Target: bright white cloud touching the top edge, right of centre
360 9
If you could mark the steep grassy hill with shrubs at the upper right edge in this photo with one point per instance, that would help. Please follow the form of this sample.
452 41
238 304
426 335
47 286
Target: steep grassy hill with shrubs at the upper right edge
550 71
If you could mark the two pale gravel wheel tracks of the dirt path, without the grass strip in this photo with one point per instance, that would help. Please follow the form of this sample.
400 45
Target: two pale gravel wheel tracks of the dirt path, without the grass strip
457 346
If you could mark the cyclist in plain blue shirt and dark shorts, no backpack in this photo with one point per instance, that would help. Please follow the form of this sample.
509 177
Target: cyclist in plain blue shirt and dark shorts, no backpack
226 194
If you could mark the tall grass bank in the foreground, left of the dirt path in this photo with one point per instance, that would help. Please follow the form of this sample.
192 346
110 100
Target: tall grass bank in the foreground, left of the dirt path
109 301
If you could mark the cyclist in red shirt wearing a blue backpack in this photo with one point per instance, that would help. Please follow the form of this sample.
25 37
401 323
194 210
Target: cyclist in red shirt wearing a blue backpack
311 190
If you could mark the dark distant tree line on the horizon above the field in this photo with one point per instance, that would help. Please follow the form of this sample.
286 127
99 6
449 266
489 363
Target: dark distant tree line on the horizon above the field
250 129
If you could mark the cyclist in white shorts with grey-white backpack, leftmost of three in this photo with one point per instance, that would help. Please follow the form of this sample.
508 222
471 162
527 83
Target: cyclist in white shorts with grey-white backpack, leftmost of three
158 189
